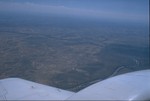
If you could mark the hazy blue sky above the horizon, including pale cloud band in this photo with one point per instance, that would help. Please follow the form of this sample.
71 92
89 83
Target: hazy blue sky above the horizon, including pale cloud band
135 10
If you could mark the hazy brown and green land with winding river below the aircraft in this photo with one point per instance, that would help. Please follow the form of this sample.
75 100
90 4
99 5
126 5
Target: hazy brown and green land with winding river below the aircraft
69 53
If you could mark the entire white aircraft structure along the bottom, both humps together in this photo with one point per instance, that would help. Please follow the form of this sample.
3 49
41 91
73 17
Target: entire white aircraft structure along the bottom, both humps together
129 86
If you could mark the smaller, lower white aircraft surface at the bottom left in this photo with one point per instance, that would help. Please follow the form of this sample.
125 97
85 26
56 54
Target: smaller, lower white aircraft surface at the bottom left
19 89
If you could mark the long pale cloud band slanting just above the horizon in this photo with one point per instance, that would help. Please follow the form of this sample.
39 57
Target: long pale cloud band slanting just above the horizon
50 9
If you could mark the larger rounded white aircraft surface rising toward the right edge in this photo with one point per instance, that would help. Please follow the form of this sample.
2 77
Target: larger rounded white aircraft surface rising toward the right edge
128 87
